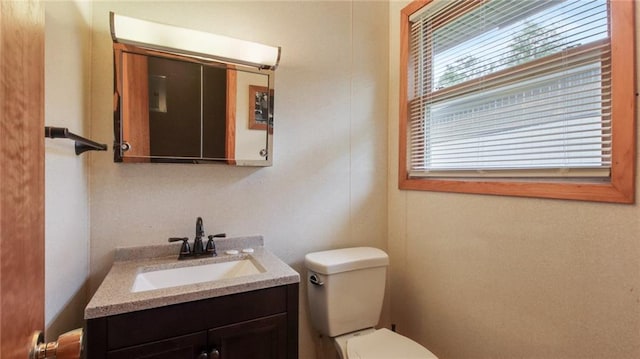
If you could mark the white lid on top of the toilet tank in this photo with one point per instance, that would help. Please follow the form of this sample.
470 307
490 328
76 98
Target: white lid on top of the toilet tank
345 259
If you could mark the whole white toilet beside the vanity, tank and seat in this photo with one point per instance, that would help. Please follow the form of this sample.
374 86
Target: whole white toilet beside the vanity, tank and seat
345 290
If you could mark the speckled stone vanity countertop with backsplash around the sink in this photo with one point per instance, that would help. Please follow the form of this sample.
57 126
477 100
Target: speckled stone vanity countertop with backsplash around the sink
114 295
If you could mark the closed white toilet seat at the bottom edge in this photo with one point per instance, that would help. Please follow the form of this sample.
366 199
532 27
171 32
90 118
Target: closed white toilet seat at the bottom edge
385 344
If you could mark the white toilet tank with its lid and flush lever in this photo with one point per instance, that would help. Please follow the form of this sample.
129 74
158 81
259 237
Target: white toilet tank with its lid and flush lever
345 288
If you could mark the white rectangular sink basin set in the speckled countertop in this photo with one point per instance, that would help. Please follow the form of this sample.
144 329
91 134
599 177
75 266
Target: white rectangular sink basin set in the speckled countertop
173 277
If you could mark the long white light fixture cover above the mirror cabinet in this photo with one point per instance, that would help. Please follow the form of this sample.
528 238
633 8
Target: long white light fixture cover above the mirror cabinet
128 30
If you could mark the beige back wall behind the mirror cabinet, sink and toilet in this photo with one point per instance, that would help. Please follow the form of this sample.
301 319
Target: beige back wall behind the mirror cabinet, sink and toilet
327 186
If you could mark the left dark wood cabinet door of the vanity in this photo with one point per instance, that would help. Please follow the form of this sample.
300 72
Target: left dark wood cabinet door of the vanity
183 347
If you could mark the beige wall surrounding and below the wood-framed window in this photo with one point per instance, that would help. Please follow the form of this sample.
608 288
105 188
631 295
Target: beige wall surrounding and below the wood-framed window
497 277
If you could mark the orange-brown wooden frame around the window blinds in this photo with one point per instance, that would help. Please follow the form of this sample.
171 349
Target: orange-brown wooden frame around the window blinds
621 186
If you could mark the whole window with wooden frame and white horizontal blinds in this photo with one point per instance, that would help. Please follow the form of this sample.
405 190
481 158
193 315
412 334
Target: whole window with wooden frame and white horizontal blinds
526 98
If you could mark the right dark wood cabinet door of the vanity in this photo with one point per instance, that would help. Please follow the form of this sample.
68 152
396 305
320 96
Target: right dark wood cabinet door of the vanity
264 338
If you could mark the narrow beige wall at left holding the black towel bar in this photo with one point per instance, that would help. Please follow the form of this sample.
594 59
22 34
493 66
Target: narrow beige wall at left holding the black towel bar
67 94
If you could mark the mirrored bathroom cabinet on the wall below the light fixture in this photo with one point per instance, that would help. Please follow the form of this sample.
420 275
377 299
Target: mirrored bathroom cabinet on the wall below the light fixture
171 107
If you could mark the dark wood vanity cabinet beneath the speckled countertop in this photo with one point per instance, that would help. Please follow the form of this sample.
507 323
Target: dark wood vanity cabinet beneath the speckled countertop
260 324
